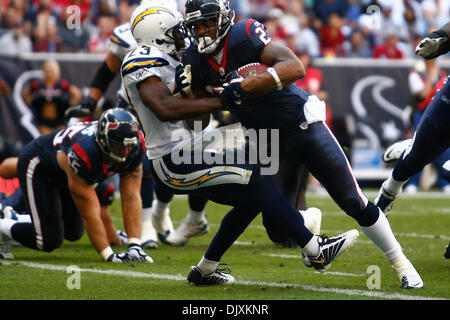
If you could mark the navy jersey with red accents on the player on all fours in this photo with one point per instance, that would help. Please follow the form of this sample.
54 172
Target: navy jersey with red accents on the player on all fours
84 156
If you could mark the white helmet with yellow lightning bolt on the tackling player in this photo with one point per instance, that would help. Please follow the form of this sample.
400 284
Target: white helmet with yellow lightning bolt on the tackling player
158 23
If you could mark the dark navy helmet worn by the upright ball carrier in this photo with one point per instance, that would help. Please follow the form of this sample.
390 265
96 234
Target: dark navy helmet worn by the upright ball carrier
217 14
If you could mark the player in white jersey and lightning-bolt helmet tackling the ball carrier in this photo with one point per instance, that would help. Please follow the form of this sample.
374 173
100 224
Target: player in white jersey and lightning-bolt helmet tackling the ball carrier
148 75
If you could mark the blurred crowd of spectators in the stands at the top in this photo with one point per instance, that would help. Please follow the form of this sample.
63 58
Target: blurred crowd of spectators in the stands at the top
321 28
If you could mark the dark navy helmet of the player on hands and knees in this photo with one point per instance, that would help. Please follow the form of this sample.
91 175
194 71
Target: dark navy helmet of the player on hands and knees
117 134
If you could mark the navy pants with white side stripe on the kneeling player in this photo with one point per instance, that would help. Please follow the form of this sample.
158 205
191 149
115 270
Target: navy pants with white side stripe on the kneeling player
53 213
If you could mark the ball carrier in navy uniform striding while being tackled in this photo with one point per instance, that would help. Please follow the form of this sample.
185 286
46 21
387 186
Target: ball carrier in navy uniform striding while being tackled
221 48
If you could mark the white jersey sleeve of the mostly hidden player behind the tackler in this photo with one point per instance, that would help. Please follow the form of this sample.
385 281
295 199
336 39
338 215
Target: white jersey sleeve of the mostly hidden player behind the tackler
121 42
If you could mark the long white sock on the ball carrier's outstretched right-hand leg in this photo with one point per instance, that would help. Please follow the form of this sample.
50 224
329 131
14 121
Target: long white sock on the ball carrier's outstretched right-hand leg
381 234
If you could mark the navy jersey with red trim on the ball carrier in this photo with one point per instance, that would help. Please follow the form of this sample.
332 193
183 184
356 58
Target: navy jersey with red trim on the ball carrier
244 44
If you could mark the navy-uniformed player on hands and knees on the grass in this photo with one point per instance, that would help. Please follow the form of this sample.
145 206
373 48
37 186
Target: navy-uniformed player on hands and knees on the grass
57 173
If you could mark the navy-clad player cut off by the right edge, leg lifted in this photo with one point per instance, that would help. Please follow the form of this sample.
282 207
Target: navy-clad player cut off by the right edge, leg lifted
432 136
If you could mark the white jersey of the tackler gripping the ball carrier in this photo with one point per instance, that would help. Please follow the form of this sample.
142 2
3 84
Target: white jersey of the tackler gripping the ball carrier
142 63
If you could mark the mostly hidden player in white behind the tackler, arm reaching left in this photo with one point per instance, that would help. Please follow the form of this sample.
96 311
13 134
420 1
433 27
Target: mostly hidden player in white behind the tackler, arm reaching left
155 212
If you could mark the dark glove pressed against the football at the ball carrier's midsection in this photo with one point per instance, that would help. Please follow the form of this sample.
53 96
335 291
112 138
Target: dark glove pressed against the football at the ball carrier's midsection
233 96
